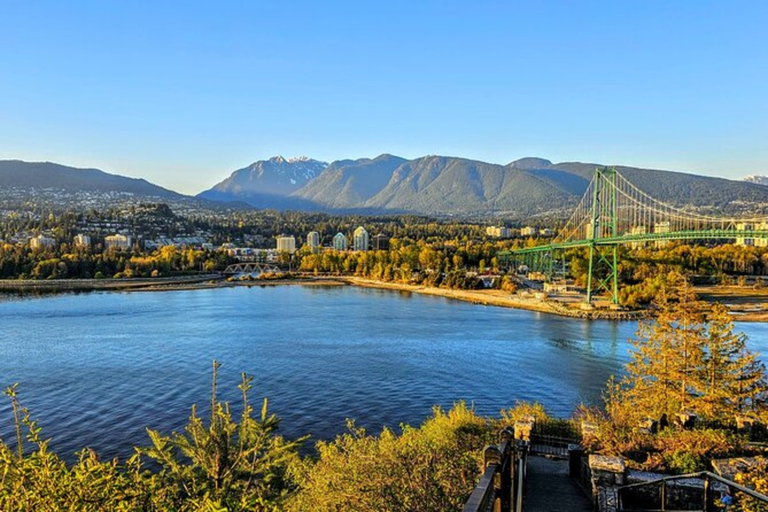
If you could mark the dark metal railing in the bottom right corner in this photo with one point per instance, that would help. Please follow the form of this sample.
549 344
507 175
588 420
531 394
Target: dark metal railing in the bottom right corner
672 496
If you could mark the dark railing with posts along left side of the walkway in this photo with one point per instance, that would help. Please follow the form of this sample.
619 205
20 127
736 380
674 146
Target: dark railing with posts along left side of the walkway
501 487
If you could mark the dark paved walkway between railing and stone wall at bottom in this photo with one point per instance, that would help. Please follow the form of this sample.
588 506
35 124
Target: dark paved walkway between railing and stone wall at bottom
550 489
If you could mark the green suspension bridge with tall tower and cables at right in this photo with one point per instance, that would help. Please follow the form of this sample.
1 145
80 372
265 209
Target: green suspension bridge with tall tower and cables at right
613 212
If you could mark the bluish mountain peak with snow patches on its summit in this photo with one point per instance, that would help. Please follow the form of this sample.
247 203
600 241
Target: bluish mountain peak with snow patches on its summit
268 183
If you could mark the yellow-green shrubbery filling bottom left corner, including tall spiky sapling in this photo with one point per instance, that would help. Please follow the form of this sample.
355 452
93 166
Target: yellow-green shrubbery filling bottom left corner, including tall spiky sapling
225 465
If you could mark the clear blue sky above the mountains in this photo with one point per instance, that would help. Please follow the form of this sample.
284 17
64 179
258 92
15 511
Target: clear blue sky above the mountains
184 93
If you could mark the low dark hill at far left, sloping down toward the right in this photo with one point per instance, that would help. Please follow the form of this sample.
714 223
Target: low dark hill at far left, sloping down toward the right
18 174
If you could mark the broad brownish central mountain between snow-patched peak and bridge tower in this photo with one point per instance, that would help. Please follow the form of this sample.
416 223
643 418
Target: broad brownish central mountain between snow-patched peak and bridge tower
433 185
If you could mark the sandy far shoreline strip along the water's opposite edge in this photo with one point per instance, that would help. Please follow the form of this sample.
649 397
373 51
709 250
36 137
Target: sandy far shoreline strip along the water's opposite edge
488 297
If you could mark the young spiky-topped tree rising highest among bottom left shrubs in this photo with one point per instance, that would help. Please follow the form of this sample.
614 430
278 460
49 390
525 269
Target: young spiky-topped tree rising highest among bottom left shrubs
227 464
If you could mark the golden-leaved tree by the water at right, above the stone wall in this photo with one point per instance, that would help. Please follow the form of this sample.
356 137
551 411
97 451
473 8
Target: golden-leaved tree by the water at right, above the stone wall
688 358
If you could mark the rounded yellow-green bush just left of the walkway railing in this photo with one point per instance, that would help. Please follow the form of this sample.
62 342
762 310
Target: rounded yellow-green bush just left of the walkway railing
433 467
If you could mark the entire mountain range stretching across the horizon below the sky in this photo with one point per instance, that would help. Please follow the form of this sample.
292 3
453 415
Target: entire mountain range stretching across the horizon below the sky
430 185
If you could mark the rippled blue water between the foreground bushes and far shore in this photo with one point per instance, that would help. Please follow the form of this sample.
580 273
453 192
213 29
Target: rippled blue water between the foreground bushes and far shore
96 369
